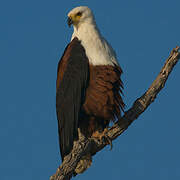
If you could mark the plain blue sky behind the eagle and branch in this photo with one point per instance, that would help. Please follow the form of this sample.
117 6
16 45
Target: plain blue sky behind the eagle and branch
33 35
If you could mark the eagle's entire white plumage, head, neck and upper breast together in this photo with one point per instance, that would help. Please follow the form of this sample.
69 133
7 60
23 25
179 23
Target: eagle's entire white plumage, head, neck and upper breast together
98 50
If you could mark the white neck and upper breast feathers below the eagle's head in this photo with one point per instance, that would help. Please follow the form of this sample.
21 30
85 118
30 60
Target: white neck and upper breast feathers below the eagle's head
98 50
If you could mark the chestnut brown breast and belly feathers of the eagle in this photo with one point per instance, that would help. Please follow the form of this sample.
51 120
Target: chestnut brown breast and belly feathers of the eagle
103 97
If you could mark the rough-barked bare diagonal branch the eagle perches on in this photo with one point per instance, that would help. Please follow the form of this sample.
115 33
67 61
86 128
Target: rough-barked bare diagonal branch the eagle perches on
92 146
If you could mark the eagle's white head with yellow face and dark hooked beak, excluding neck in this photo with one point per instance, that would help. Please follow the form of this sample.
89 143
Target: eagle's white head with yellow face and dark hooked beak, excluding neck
79 16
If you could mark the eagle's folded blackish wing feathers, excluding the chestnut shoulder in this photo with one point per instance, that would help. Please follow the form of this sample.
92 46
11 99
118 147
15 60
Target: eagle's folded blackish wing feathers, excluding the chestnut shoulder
70 96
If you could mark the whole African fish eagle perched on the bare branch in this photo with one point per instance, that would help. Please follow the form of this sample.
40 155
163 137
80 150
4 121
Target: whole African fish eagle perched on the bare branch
88 87
